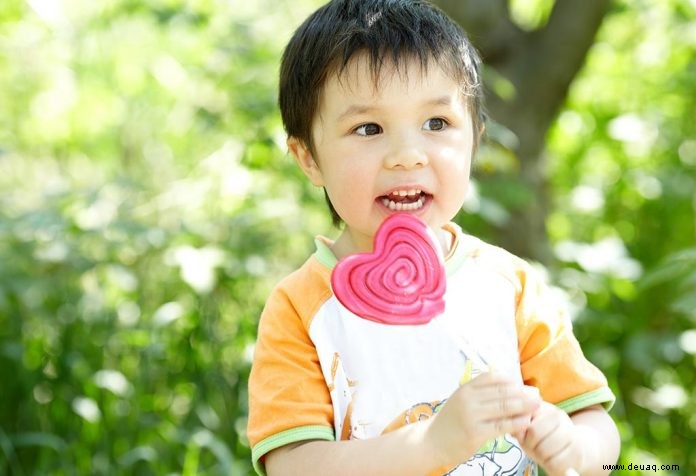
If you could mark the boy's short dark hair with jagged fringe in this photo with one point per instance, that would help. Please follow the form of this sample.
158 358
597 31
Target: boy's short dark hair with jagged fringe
387 31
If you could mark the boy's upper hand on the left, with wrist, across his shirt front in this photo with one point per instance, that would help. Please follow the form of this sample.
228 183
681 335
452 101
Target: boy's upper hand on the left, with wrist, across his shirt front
478 411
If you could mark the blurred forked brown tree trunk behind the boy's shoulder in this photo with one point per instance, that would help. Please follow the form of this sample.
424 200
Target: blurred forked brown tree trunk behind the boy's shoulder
540 64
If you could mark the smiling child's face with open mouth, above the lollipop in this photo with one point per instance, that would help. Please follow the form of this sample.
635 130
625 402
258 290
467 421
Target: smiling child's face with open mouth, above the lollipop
403 146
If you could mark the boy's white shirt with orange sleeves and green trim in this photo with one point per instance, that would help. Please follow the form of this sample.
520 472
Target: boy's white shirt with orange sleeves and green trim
321 372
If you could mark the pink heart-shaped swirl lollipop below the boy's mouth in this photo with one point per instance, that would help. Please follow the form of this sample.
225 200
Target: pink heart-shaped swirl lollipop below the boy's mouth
401 282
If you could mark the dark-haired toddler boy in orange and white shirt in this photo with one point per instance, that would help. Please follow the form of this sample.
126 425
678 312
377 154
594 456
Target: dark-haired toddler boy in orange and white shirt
382 103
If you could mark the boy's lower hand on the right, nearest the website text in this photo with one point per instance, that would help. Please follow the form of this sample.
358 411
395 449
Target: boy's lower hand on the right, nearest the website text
551 440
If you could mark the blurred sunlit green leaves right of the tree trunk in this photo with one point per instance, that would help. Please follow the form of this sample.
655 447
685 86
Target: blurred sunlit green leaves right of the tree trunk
619 177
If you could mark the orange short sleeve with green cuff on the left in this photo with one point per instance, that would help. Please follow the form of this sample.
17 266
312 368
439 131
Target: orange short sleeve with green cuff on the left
288 395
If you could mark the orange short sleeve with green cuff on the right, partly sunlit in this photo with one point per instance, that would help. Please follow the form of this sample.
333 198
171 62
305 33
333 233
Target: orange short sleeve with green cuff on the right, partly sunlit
550 356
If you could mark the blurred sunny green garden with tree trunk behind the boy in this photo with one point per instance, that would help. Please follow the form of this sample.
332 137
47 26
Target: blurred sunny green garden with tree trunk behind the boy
147 207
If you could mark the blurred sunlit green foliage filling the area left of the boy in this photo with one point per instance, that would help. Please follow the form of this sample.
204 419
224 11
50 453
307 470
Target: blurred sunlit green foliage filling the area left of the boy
137 245
